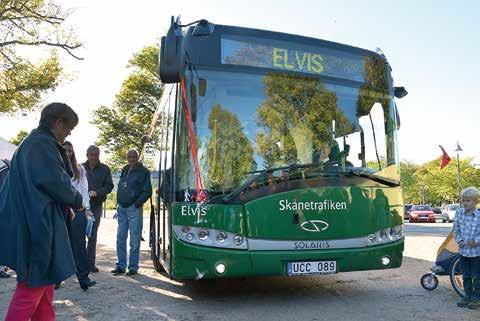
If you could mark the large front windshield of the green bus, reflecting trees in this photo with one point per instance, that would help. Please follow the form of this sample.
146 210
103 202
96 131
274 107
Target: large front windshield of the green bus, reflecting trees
249 122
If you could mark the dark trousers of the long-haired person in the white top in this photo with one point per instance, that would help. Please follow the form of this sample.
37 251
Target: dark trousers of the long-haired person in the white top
79 245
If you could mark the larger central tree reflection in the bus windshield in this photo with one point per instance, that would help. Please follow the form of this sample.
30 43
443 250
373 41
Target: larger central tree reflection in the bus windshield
297 113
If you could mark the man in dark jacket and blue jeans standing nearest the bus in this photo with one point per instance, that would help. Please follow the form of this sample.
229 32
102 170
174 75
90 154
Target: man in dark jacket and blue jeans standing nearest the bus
134 189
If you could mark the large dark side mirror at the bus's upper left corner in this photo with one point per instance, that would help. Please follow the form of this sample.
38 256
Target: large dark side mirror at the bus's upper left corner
171 55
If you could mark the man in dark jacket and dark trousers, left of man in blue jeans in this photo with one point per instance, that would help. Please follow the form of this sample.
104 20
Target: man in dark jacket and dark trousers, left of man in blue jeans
100 184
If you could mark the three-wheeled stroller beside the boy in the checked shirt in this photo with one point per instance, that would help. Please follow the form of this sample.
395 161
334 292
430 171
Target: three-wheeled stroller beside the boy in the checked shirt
446 263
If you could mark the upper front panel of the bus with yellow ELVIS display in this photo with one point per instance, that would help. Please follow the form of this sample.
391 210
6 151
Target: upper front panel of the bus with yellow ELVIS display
238 48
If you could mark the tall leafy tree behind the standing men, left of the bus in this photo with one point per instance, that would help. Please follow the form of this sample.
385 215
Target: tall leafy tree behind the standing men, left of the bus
123 124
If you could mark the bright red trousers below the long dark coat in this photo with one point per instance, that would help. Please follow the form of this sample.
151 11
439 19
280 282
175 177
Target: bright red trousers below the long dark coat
31 304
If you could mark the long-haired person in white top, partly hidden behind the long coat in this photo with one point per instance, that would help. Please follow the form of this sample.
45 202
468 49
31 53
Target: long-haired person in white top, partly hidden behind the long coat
79 222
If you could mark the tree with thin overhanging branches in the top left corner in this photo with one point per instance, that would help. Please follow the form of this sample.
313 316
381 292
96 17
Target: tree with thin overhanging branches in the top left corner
26 24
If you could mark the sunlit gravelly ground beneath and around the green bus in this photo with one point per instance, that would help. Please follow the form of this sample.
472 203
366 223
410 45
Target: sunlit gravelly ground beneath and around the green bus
374 295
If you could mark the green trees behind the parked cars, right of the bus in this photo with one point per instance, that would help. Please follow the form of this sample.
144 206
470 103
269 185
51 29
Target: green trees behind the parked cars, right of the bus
438 185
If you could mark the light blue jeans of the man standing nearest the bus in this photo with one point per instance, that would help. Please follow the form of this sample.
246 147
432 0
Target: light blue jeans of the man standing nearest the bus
130 218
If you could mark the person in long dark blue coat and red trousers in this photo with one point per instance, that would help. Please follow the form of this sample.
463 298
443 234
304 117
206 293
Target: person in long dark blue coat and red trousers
34 203
